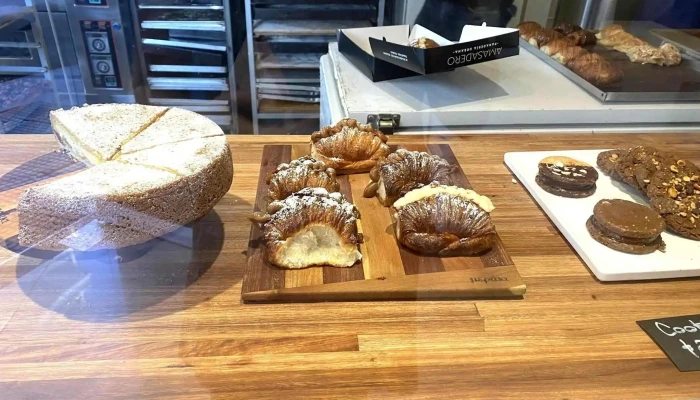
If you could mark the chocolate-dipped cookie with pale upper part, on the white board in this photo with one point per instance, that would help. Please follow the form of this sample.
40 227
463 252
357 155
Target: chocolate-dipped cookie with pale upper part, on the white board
566 177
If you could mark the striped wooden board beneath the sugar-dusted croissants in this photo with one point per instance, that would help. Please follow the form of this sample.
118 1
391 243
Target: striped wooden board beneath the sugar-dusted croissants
387 271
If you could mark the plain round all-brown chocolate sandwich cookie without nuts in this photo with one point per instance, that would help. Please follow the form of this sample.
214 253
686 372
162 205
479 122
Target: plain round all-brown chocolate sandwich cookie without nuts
626 226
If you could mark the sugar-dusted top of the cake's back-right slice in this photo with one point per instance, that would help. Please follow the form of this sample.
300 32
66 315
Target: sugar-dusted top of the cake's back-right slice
175 126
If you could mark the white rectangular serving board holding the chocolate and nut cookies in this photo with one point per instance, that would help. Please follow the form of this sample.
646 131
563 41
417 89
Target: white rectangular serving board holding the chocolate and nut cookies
682 256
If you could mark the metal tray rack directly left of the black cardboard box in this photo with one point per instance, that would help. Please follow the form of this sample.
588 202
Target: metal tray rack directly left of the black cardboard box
285 40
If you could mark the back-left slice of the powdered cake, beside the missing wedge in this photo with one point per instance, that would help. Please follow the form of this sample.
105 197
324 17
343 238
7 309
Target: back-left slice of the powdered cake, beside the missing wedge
95 133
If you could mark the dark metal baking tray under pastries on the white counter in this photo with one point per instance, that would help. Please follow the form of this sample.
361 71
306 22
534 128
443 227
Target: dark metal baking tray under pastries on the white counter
641 82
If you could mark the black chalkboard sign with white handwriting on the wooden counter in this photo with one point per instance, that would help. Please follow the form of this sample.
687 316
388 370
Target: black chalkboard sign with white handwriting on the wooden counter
678 337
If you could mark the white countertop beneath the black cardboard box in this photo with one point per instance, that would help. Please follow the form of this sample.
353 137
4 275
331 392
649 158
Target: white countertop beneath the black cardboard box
515 94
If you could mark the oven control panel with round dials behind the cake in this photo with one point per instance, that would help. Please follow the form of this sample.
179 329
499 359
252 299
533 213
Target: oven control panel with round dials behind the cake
102 59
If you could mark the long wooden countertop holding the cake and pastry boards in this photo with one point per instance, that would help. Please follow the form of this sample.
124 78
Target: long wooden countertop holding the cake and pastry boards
170 323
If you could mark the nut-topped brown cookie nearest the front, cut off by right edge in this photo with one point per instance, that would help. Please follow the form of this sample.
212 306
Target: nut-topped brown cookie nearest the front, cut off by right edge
674 192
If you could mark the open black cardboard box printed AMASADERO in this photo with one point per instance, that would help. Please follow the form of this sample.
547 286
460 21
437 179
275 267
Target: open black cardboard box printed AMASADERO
383 53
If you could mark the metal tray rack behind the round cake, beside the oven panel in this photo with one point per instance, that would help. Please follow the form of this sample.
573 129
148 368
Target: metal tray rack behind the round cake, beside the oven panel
200 33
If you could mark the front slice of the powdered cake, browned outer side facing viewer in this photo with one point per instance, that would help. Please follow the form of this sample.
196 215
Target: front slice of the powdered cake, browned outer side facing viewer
110 205
